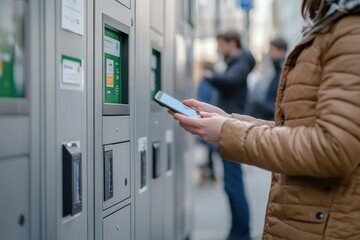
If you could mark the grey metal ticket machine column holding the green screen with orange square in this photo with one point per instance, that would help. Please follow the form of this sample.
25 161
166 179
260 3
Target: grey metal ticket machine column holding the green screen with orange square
113 86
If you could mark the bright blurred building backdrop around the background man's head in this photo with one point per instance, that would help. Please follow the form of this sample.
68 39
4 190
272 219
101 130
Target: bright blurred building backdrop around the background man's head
213 16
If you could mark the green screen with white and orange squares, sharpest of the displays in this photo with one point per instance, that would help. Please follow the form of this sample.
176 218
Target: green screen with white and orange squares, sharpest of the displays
112 67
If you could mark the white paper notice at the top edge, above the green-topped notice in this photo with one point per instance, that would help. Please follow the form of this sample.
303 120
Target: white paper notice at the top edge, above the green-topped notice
72 17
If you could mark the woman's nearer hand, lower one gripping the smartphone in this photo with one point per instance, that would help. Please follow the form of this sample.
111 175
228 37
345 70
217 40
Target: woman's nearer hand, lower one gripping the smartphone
208 127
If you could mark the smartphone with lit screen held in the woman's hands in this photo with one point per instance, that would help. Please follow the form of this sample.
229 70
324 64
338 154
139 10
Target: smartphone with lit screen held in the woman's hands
175 105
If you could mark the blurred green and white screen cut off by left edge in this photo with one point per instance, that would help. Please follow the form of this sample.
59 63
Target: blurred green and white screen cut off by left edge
12 82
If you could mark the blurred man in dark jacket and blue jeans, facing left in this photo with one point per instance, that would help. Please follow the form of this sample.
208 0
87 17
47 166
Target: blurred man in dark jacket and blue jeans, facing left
232 94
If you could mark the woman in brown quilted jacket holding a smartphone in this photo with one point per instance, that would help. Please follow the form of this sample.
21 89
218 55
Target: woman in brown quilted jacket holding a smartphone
313 146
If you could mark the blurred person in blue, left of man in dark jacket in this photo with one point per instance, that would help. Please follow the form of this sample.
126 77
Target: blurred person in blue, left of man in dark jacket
206 93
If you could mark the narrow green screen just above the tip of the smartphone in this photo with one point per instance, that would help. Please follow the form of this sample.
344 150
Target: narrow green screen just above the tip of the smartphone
155 73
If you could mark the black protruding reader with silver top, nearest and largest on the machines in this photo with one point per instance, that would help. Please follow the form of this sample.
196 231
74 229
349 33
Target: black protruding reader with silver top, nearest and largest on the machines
72 192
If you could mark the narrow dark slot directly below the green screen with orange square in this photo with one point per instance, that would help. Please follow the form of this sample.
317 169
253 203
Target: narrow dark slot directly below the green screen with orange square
108 175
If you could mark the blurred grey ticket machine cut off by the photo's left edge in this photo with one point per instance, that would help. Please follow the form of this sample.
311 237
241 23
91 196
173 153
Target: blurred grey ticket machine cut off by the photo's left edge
15 120
